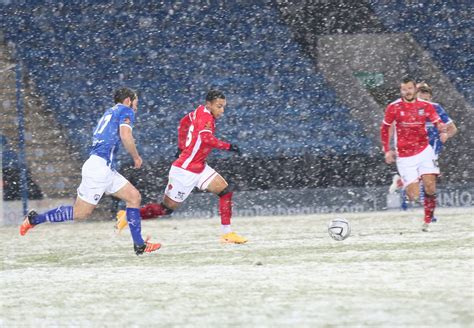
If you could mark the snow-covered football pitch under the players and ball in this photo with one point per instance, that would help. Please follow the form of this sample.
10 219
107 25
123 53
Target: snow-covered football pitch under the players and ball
388 273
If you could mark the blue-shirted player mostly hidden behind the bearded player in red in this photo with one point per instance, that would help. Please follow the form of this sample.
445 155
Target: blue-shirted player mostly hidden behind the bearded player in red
424 92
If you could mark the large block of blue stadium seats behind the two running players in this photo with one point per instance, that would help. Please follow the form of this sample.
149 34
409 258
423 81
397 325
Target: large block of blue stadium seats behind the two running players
77 53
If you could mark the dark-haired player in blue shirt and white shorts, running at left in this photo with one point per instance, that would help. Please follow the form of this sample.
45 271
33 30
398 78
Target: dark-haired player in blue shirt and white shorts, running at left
99 174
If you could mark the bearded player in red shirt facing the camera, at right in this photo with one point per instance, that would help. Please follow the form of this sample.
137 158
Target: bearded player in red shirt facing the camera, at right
414 157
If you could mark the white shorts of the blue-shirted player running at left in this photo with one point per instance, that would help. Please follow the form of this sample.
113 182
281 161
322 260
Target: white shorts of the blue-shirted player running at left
98 178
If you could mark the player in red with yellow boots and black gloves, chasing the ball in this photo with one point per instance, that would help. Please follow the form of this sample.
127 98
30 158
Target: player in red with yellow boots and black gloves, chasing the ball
196 140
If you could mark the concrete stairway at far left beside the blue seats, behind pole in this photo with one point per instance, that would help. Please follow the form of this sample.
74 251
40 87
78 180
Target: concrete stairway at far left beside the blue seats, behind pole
53 166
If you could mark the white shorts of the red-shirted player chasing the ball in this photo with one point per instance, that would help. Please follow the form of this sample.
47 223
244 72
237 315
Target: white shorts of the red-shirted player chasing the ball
182 182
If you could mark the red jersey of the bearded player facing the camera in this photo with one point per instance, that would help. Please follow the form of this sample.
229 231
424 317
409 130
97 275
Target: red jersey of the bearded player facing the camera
410 125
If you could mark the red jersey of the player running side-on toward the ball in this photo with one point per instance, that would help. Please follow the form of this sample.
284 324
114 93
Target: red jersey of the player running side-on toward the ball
196 140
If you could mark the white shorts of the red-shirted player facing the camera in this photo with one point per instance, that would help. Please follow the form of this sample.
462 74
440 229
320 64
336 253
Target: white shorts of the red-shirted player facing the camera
413 167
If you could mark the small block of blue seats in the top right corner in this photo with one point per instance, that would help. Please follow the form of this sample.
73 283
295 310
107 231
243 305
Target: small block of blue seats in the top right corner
442 27
